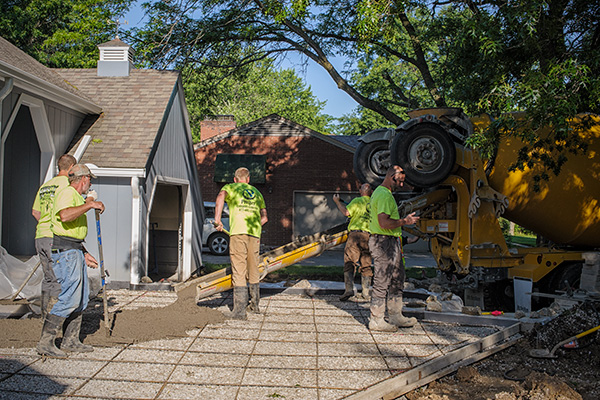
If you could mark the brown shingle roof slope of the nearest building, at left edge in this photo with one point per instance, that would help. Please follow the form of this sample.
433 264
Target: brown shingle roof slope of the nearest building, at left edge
15 57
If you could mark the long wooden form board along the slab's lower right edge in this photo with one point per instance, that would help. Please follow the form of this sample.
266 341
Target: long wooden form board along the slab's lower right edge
431 370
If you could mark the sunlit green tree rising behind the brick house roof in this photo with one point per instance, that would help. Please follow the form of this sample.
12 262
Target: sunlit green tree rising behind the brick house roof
249 93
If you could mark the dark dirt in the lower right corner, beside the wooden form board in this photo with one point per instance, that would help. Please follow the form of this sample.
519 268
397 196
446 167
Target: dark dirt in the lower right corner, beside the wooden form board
513 375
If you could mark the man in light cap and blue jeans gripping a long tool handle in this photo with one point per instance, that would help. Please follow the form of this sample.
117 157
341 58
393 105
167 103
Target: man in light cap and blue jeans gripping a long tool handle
69 226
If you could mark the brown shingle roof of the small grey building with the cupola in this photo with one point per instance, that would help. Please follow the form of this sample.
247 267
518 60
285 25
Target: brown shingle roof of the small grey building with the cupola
133 109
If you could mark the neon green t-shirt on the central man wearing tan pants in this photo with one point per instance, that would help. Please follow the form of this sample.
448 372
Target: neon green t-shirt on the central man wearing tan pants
245 203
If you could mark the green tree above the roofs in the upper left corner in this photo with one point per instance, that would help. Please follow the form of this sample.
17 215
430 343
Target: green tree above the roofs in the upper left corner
61 33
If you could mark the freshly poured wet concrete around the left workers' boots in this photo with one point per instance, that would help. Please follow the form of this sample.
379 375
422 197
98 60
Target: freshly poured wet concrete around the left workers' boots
129 326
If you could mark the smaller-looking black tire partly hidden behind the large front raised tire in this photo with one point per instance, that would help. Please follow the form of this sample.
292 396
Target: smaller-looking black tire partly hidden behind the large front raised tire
371 162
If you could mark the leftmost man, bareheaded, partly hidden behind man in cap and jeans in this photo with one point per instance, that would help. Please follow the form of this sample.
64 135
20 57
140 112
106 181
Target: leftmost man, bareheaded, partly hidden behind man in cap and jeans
42 212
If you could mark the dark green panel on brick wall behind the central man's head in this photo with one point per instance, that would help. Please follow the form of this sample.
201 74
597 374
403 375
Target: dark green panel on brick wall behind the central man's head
226 164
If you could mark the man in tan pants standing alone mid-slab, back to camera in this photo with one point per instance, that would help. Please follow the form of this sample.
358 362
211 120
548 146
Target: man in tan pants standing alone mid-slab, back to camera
247 215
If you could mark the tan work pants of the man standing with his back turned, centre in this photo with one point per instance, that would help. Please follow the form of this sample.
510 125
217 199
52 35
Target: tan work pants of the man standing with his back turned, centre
243 251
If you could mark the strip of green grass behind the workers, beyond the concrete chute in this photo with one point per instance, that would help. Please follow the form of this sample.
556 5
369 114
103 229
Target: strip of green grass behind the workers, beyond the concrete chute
319 272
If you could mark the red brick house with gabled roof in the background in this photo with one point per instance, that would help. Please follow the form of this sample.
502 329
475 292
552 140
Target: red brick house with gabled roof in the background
295 168
